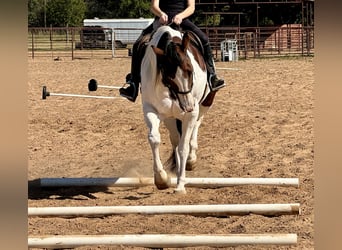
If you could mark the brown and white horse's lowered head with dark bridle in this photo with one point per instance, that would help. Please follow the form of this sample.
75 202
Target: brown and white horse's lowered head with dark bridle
176 68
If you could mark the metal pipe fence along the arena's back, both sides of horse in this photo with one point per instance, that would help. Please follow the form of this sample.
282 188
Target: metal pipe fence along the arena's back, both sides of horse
252 42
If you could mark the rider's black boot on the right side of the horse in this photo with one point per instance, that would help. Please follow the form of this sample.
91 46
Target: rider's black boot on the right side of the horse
214 82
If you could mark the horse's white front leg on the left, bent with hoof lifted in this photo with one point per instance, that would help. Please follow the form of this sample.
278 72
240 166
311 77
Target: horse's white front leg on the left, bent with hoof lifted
161 179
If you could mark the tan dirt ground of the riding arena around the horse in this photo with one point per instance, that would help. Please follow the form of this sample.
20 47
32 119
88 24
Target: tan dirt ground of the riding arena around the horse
261 125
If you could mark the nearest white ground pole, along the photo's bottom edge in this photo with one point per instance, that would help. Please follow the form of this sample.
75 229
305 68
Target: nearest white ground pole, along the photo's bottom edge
162 240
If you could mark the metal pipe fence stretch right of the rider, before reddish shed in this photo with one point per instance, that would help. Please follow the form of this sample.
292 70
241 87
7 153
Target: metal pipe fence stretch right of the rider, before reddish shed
254 42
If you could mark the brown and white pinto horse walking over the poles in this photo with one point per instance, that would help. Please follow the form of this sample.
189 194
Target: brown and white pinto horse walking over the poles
174 90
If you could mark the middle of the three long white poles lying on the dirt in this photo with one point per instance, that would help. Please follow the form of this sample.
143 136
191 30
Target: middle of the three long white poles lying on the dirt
215 209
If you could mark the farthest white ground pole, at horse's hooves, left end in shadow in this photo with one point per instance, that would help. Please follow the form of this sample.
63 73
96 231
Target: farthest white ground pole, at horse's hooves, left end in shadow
145 181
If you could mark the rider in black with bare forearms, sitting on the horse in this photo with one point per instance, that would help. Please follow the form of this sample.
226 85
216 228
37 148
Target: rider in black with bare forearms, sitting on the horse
167 11
